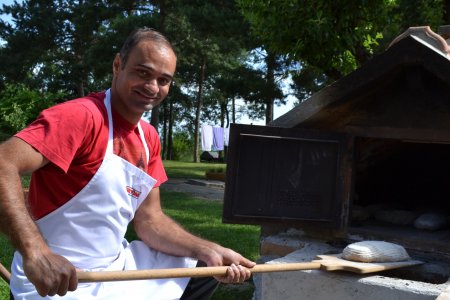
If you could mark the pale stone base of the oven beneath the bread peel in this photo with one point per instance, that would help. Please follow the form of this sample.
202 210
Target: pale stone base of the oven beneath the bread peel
318 284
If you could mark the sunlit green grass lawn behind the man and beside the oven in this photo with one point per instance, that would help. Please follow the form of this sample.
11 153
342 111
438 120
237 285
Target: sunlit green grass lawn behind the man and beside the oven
201 217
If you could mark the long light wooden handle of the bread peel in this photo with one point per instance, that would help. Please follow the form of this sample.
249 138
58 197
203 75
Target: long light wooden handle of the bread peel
104 276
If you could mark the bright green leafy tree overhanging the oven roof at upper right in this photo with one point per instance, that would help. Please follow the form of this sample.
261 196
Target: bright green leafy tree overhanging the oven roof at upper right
326 40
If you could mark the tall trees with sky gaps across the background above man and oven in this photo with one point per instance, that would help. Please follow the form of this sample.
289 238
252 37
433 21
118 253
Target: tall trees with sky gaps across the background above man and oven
60 45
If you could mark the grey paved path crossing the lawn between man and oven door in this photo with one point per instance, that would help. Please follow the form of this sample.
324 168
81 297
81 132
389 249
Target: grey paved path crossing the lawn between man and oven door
206 189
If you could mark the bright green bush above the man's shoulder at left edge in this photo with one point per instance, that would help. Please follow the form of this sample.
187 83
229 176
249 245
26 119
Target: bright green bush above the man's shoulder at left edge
19 105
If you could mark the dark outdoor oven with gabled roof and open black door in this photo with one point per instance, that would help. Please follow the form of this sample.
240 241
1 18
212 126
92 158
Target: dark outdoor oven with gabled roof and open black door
367 157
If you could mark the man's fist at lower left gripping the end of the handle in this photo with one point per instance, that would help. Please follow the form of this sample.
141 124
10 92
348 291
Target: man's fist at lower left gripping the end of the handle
51 274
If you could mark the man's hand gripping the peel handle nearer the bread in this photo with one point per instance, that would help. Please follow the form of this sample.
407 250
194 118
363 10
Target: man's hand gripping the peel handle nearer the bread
217 255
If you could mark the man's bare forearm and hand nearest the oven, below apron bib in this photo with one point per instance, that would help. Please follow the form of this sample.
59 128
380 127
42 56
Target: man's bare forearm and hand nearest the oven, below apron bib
161 233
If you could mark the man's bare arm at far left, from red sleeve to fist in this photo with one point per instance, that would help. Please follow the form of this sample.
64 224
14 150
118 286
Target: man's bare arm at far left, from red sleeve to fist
50 273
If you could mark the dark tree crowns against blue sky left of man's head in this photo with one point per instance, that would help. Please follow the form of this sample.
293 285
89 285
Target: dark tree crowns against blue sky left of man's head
48 43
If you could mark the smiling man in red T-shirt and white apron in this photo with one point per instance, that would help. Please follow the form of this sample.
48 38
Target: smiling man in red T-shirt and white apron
96 167
